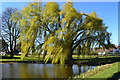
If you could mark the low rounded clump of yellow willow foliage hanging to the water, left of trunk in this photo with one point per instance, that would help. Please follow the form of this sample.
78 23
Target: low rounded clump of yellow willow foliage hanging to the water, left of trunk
56 50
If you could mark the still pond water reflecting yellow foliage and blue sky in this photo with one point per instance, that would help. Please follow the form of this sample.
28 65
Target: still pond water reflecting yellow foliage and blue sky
21 70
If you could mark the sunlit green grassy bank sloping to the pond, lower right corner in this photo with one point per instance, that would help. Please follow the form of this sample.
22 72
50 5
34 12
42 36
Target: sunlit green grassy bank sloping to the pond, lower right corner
100 72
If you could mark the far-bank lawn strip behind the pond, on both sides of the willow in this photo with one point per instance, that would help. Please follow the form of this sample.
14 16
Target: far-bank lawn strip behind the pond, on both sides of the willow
91 60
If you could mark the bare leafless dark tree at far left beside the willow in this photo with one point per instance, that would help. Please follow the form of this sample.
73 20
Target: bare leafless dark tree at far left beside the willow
10 29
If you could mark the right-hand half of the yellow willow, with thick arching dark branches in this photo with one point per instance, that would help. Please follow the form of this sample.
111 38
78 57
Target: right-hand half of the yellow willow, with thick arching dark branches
75 29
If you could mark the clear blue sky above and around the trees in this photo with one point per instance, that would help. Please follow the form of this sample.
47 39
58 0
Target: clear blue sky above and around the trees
108 11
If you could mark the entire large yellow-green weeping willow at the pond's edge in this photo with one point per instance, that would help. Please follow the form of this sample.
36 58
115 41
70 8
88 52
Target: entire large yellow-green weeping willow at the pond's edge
62 30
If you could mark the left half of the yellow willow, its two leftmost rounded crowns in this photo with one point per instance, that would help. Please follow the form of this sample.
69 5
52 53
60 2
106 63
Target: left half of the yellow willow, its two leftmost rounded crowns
37 23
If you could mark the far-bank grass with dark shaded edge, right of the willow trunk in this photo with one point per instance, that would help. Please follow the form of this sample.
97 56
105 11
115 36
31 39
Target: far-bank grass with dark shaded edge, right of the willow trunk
96 60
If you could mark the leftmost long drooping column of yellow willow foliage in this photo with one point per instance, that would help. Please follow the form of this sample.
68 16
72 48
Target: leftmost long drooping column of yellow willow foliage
29 25
